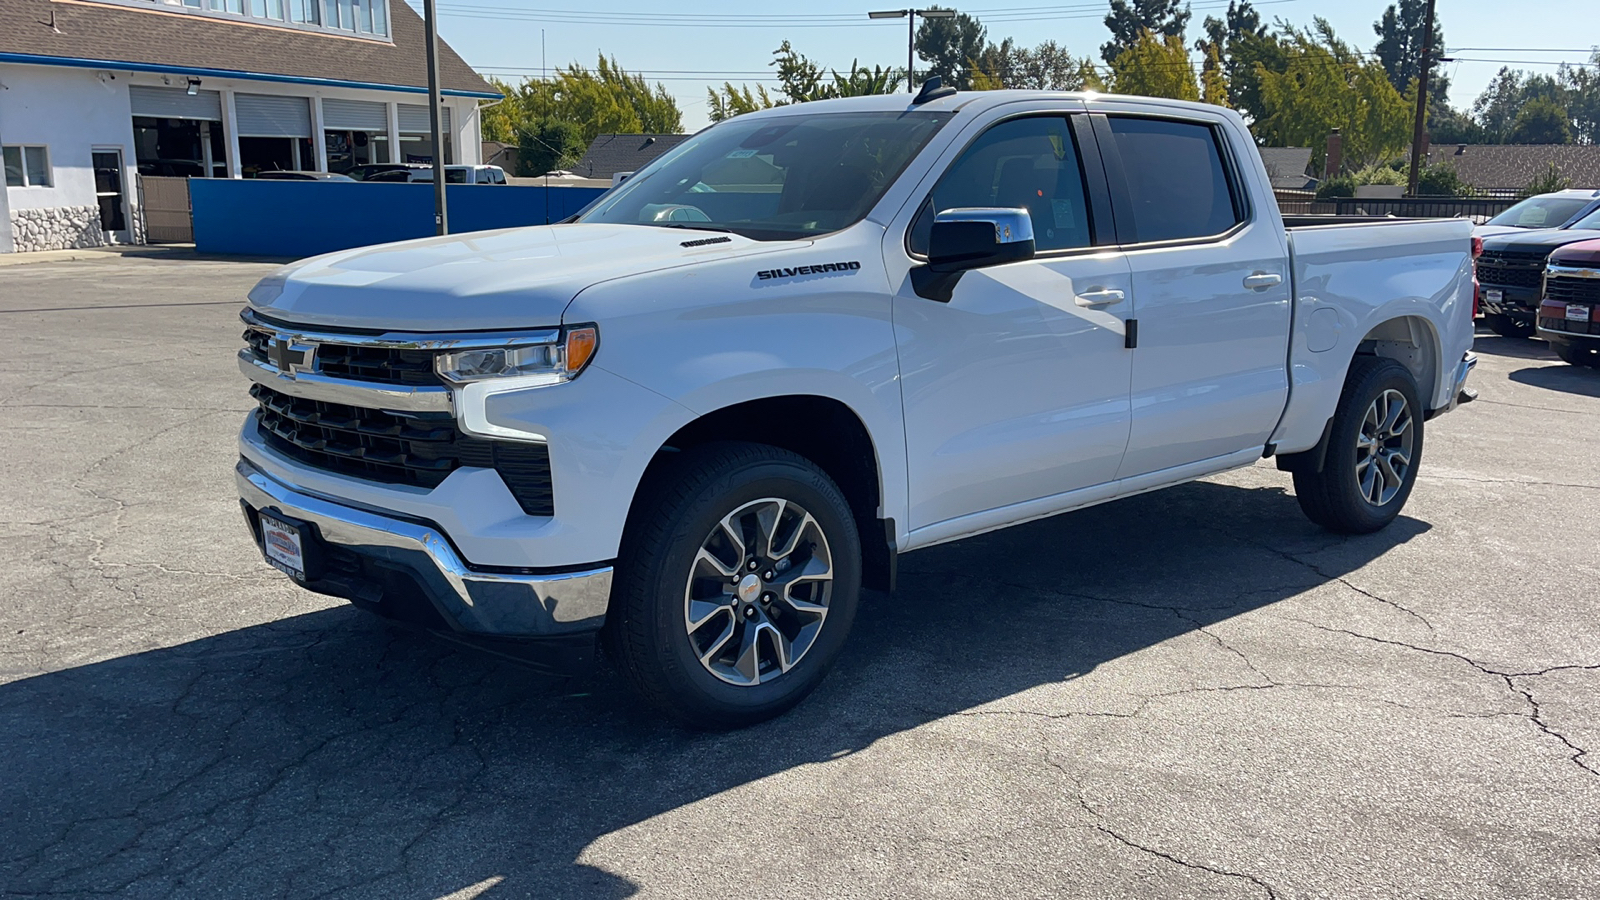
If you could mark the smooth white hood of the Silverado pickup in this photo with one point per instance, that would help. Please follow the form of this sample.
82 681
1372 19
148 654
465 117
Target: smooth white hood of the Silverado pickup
482 281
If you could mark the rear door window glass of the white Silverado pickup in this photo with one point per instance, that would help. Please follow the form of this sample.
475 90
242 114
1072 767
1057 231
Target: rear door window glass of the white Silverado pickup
1177 180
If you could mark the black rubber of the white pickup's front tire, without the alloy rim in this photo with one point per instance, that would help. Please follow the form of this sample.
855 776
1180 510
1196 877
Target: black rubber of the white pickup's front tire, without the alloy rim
679 508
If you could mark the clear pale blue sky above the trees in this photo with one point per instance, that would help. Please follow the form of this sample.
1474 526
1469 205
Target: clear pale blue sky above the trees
694 44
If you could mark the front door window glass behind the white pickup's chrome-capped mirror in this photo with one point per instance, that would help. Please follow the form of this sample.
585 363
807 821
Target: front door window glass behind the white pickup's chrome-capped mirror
1030 164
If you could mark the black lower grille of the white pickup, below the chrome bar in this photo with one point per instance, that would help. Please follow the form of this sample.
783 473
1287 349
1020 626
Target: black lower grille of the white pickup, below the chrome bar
393 448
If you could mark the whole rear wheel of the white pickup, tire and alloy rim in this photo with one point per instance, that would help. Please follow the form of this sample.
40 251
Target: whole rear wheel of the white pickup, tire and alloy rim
1375 448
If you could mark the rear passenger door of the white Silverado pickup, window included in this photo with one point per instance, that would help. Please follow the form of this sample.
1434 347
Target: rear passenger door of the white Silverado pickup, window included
1210 273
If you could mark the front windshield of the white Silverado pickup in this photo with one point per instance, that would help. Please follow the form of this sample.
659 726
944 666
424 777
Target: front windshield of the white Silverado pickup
774 179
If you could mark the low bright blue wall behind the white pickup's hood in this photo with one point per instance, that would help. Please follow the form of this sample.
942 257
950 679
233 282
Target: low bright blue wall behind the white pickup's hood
303 219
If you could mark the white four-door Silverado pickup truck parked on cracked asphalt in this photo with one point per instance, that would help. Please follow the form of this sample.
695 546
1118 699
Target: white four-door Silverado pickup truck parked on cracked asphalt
695 420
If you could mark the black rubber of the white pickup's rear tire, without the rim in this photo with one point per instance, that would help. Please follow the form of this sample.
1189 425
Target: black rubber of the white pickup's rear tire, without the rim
1334 497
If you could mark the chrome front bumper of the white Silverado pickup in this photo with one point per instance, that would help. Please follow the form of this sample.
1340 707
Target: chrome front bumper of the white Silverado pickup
471 601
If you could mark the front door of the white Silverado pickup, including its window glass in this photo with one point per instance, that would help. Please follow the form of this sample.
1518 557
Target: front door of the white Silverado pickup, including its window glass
1018 387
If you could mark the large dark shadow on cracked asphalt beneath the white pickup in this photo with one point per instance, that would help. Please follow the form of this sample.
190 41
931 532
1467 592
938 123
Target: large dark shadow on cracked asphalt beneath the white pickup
332 753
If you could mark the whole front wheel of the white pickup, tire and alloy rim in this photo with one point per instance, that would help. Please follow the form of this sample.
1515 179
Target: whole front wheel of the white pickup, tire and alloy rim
737 585
